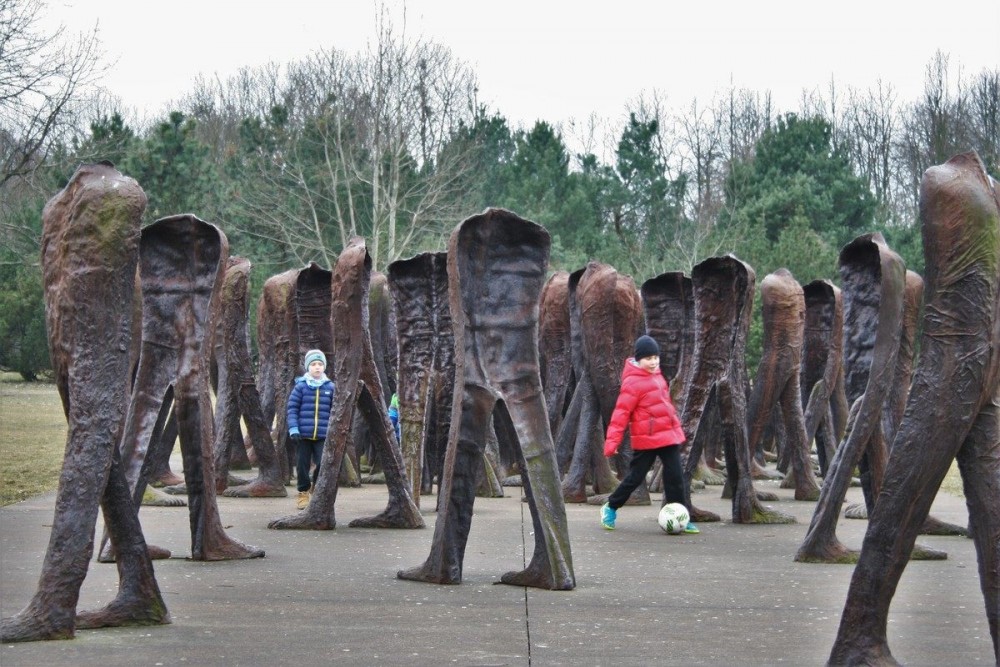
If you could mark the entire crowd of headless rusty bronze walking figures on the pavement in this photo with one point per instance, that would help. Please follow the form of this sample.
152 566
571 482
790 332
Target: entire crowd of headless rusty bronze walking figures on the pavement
501 370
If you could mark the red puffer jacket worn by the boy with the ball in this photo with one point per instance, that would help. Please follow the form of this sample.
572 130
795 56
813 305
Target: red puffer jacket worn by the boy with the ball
644 406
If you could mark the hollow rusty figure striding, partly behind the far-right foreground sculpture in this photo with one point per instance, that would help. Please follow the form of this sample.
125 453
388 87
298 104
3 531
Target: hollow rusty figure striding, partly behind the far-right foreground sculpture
873 278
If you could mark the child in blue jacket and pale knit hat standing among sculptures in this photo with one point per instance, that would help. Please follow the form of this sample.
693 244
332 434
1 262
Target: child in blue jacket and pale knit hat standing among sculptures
309 407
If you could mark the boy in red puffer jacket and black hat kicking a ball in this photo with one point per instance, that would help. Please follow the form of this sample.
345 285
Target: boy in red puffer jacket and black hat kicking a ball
644 406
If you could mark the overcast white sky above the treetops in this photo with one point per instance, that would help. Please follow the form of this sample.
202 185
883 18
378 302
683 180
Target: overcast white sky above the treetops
556 61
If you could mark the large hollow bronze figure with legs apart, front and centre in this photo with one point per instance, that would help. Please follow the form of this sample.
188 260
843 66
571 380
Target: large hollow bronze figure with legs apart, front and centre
496 270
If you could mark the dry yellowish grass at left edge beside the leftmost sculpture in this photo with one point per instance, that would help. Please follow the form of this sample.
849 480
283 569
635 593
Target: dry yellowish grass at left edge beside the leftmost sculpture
32 438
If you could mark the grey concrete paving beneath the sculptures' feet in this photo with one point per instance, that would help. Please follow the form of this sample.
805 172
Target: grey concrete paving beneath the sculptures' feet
730 596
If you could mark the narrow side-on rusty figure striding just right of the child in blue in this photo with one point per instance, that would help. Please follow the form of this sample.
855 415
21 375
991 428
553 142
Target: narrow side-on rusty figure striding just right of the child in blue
358 386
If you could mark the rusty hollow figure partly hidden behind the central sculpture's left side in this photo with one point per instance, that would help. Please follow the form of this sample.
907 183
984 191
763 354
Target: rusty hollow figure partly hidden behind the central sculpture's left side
426 364
